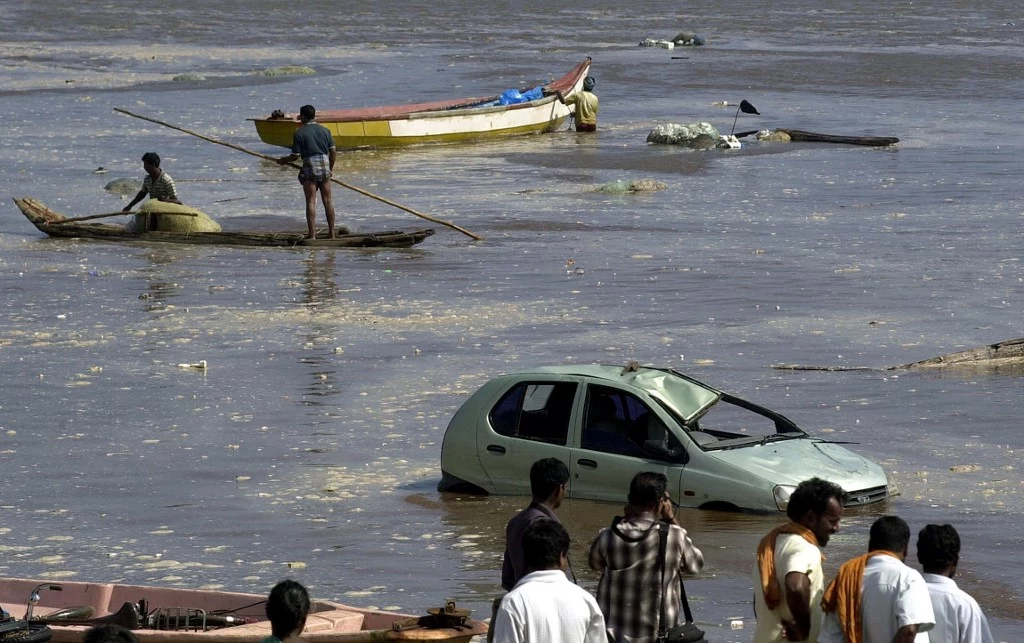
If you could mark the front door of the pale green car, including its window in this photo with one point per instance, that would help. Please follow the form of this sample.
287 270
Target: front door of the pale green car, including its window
608 453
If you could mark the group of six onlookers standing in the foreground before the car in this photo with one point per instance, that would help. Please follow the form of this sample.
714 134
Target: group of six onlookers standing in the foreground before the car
644 555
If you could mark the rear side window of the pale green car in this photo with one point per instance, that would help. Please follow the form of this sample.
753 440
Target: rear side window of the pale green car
538 411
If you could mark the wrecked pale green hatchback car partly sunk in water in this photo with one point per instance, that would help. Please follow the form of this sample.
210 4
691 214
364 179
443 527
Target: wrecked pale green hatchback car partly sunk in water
608 423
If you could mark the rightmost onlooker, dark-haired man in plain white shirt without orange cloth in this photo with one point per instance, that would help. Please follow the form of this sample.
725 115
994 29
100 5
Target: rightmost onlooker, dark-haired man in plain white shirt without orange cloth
958 617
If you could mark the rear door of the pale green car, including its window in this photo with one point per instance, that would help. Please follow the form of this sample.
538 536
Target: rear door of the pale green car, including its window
530 421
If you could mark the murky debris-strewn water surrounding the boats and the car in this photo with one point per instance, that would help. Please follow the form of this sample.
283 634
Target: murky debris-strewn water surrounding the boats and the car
310 446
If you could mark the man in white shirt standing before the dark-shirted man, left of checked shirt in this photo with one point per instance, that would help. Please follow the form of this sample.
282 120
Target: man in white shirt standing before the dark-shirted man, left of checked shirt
545 607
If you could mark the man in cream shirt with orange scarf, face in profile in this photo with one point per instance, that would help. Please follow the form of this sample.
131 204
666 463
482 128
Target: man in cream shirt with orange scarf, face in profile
788 577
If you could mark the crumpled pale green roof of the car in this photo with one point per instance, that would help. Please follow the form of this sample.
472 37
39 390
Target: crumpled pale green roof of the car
687 397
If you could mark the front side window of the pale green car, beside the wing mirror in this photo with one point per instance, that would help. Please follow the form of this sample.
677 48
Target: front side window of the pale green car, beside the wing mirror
618 422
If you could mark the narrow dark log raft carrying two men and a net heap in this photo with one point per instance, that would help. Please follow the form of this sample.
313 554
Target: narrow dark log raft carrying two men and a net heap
52 223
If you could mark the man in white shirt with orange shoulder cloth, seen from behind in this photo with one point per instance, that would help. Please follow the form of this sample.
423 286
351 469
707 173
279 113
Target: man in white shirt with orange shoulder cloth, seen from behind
876 598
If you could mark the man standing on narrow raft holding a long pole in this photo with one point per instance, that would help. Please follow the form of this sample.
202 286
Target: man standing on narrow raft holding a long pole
314 144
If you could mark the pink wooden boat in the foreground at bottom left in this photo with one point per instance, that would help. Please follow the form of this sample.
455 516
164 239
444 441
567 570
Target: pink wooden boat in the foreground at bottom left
180 616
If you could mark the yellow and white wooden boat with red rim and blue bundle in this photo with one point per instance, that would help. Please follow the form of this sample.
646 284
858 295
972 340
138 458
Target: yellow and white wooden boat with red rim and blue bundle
443 121
